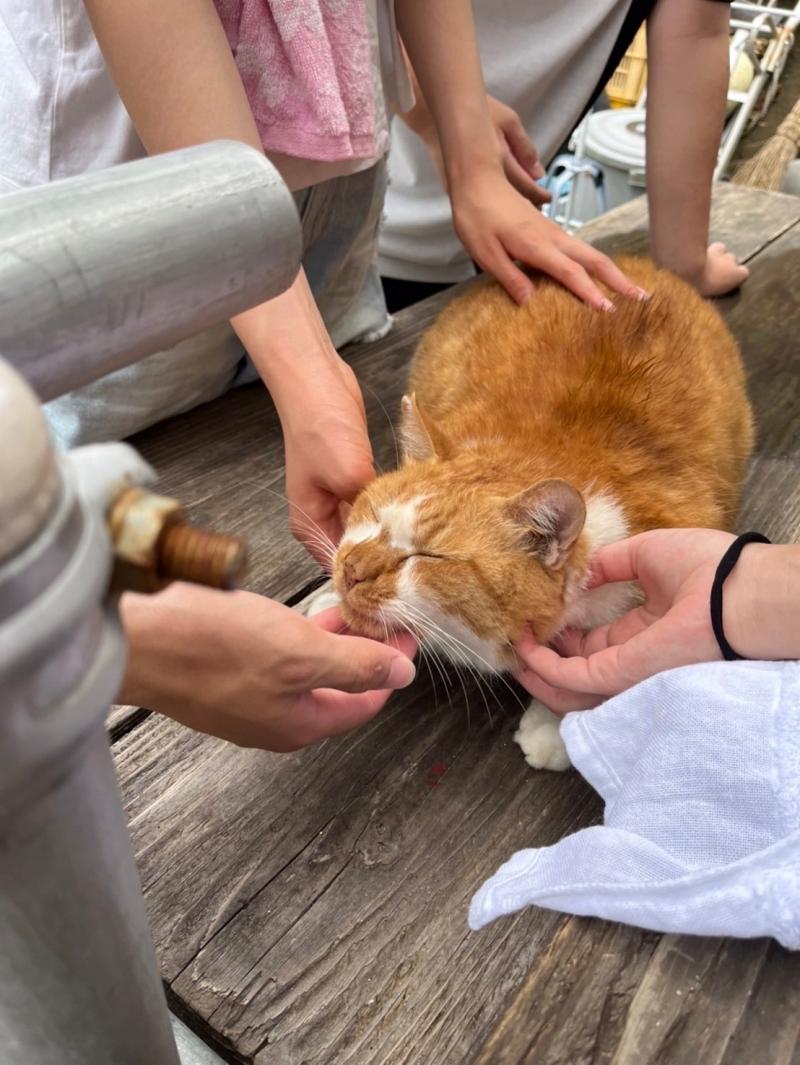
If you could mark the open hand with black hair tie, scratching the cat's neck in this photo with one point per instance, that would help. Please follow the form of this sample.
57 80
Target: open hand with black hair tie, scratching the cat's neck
676 570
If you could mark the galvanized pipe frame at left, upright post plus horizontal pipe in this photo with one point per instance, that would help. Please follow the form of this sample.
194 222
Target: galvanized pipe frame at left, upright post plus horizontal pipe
130 272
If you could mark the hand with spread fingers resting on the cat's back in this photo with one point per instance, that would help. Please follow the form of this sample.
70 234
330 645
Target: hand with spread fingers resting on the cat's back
497 225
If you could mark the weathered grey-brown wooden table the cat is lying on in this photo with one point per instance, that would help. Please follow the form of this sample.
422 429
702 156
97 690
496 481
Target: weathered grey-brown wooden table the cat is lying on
313 908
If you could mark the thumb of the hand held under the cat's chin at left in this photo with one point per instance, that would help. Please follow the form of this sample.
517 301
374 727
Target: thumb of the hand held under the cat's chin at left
354 664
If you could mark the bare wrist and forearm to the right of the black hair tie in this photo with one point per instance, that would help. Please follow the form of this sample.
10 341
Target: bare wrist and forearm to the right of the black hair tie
762 602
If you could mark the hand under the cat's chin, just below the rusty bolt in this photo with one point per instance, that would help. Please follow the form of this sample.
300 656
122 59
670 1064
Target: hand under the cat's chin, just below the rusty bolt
249 670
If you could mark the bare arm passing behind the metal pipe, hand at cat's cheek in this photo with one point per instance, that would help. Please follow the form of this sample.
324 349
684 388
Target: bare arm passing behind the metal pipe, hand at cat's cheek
175 72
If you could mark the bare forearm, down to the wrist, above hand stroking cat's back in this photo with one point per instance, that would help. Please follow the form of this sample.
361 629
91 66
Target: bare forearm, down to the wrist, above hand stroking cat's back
440 42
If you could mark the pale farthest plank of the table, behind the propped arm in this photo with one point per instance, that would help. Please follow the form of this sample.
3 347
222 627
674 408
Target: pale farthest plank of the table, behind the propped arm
747 220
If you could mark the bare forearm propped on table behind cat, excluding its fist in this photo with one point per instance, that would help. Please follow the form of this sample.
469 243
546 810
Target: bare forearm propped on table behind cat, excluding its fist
688 81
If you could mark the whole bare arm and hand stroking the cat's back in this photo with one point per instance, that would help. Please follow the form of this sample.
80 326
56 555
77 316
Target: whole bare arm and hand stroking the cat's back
495 222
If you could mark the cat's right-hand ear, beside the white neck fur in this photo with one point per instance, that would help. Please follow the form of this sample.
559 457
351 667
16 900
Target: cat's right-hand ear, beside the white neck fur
551 515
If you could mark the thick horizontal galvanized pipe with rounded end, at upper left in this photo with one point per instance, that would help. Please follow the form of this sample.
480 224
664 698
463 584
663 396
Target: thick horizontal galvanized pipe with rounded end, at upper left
100 271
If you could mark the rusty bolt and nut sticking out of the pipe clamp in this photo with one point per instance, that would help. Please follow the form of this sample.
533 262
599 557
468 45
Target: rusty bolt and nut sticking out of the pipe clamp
155 545
